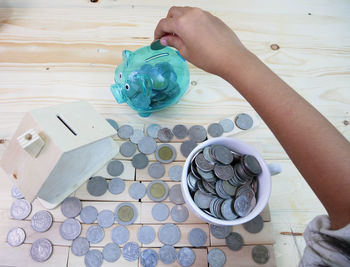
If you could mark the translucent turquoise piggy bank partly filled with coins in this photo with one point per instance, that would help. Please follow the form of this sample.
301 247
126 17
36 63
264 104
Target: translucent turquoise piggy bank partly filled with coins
150 80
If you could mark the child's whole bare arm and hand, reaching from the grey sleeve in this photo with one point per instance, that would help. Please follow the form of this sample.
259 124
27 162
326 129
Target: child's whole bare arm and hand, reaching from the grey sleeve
318 150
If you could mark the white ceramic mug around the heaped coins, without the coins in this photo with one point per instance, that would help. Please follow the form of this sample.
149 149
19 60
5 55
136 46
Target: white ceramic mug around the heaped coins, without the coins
264 181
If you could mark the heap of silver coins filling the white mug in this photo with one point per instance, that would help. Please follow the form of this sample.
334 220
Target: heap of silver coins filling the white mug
223 183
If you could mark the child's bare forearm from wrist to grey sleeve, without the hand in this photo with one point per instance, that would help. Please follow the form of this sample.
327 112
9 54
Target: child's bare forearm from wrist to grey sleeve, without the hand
317 149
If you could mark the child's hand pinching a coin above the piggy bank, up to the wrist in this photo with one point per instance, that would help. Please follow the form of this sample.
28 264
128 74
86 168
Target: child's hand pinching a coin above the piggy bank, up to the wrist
201 38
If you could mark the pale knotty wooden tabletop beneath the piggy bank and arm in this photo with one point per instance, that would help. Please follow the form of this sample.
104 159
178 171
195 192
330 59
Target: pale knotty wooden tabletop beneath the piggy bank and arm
58 51
